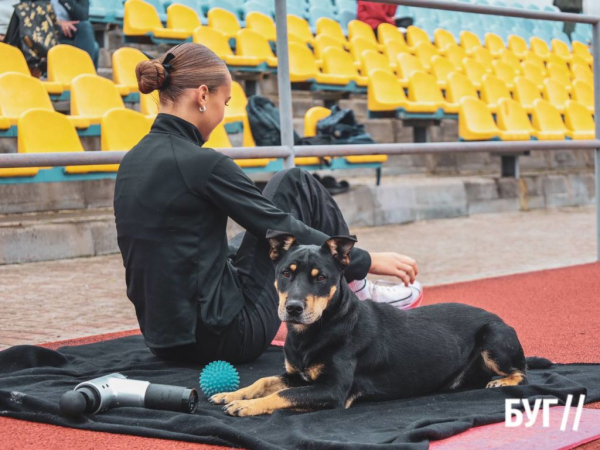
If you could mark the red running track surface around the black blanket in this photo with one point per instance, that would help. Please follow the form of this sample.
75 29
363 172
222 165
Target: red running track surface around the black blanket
556 314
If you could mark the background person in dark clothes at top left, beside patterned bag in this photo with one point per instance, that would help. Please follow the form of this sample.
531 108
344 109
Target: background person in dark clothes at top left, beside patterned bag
75 28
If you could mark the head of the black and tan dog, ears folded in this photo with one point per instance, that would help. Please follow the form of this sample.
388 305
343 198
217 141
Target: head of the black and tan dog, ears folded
307 277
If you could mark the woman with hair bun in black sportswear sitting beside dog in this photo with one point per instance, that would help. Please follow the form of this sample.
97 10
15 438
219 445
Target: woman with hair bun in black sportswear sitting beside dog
194 299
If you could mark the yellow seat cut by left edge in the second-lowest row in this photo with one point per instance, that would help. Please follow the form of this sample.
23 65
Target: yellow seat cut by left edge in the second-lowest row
20 93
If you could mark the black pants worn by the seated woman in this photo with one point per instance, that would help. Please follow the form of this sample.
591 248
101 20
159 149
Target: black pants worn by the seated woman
248 336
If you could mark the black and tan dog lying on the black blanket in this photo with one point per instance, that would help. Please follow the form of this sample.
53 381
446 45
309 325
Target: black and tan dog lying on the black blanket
340 349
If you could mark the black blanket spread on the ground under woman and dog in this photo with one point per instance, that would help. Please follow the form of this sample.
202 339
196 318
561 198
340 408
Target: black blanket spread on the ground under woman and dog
32 379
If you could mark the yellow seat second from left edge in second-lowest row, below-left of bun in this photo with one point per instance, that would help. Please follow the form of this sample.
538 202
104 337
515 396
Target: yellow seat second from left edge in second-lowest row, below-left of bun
92 96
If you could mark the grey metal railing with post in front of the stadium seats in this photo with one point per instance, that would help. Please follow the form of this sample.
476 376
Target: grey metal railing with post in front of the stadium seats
288 151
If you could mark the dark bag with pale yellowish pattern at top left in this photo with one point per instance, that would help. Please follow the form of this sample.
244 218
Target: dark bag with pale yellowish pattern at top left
33 29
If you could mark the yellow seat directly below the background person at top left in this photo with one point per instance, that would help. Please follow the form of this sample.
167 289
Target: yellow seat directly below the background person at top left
66 62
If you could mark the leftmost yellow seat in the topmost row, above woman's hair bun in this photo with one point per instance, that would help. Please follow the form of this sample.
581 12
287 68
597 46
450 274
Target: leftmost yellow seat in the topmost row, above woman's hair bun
141 19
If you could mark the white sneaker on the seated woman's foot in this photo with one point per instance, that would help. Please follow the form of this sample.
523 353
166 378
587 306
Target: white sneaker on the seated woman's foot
398 295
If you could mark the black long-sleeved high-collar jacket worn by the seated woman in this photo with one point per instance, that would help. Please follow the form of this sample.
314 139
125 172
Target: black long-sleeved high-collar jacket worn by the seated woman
172 201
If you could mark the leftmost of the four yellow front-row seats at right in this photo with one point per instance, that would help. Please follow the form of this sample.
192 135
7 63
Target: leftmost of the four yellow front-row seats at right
475 121
